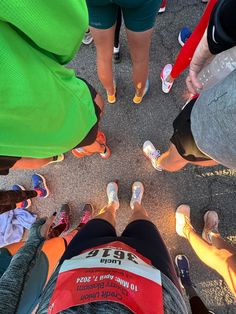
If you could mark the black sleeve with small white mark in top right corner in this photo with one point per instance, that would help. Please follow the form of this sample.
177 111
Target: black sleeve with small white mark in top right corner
221 32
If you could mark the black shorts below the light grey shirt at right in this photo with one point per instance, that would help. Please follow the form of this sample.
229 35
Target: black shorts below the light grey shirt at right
183 137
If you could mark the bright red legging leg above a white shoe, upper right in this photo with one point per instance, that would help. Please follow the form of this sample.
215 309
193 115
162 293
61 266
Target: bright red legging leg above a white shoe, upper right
187 51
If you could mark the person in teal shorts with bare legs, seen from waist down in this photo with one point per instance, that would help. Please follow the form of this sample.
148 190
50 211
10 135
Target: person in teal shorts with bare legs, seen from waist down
139 18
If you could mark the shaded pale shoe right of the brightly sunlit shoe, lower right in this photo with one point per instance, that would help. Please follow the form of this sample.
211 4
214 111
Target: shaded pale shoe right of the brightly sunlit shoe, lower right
211 223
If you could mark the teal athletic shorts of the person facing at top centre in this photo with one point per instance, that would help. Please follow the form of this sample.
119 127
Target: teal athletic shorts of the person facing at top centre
138 15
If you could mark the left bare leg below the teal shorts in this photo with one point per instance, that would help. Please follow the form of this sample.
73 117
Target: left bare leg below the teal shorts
104 40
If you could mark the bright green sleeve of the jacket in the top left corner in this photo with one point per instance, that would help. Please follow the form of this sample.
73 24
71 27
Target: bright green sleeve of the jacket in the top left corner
56 26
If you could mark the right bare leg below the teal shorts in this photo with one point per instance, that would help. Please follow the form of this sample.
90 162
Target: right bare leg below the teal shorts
139 45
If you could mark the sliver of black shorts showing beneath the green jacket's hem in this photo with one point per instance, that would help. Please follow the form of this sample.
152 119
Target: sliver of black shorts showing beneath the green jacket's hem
92 135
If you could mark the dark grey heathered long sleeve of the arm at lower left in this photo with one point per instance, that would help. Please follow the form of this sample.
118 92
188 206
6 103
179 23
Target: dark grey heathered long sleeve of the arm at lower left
13 280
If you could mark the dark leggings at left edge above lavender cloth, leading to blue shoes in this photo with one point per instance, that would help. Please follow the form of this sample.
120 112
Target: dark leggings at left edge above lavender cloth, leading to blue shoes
9 199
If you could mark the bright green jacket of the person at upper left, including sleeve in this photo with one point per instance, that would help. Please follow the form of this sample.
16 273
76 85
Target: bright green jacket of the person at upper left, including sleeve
44 109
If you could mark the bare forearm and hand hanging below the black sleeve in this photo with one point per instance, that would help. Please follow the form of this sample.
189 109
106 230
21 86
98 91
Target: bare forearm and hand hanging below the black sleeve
201 56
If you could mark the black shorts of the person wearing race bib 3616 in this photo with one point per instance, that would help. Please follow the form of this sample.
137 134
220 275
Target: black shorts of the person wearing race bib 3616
142 235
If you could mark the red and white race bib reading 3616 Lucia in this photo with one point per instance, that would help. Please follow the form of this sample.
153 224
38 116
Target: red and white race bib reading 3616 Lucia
113 272
